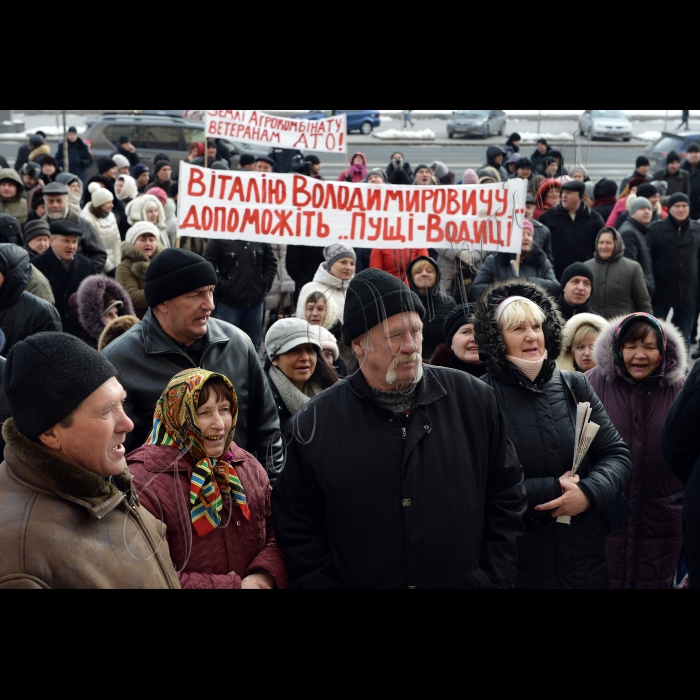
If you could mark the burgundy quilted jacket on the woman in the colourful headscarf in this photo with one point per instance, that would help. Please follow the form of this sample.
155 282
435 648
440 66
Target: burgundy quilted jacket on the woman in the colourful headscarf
162 478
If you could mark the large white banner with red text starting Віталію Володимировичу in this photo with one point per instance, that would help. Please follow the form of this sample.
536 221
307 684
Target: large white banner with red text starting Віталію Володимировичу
297 210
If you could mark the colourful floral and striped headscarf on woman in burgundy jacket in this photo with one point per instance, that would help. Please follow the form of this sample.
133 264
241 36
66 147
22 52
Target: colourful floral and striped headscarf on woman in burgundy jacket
176 423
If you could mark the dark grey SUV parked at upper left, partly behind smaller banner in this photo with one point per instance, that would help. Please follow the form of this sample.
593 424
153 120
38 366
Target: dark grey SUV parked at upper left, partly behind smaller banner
151 135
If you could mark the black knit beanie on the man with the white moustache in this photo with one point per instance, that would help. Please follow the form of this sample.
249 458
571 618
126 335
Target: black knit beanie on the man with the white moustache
373 297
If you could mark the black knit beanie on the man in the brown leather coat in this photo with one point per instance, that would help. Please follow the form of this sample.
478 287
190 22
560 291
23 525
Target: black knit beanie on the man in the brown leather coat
48 376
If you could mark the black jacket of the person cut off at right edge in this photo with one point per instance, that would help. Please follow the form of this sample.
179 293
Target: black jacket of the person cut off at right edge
680 445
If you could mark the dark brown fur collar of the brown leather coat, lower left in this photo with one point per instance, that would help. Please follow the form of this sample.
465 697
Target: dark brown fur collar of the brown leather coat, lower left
65 478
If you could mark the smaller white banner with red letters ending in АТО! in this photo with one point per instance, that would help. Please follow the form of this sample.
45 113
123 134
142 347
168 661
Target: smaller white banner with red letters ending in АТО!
255 127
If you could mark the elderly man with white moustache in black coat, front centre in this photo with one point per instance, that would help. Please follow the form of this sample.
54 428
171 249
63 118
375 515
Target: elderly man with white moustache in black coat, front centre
400 477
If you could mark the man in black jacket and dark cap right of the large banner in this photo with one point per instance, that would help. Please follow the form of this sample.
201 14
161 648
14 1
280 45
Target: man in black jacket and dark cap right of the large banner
574 226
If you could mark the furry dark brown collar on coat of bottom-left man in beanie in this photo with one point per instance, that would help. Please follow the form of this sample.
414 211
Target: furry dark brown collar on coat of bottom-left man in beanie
42 471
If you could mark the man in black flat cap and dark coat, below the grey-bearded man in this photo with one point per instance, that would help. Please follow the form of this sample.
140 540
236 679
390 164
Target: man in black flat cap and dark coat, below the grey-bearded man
64 268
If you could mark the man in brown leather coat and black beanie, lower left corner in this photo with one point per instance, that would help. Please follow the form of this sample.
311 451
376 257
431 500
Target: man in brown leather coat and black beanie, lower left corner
69 518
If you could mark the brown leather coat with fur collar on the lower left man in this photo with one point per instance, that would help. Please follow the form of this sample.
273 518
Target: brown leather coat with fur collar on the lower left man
63 527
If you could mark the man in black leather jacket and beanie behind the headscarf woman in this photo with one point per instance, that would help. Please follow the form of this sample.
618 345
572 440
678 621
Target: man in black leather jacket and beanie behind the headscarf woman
178 333
